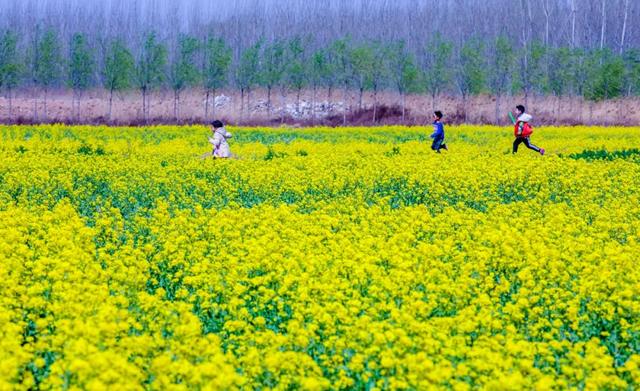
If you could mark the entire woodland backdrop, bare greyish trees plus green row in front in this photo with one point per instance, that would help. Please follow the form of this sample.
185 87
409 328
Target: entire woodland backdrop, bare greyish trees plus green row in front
587 48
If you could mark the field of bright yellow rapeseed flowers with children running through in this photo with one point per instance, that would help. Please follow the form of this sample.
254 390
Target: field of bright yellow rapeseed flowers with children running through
319 259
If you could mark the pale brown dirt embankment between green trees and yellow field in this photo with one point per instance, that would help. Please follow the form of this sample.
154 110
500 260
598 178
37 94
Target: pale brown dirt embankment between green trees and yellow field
332 109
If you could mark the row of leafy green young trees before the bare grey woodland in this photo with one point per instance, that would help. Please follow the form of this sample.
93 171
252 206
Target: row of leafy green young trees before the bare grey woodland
498 66
